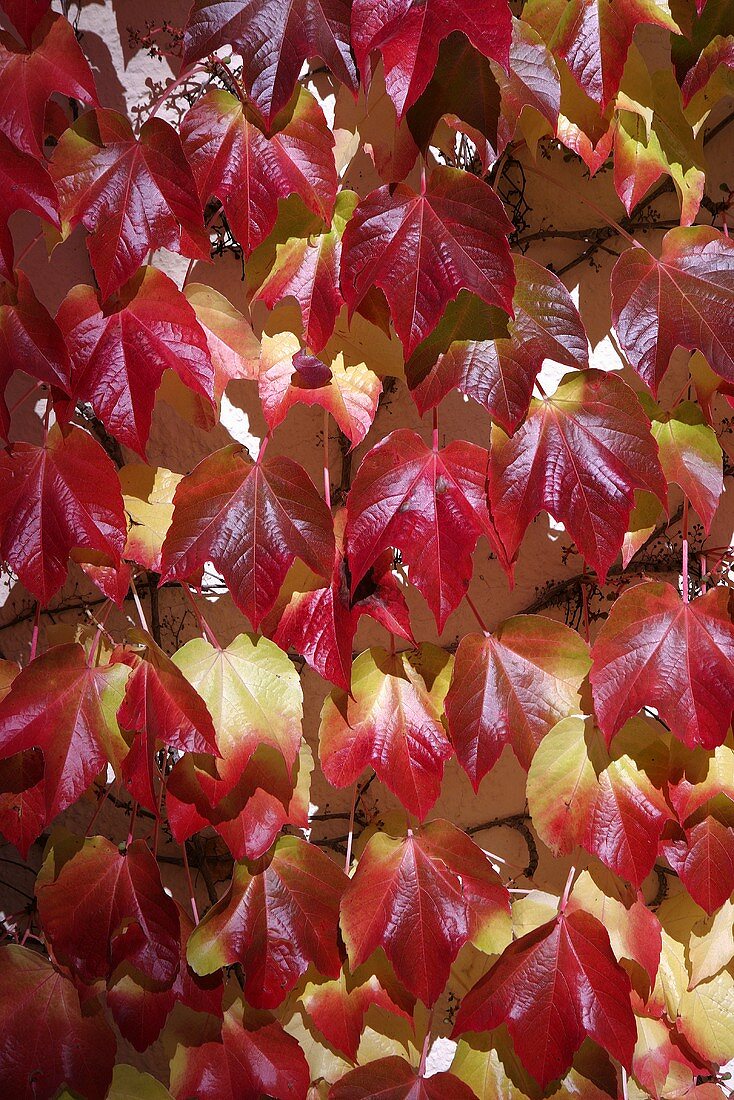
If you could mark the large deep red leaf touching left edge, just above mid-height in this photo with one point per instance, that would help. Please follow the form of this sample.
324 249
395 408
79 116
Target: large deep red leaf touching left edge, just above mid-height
57 499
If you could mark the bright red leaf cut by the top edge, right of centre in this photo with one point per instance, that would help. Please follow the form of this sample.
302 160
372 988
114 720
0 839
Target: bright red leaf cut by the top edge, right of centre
409 39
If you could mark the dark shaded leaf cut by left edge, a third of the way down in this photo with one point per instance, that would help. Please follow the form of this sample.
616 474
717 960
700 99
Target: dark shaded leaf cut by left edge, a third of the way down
30 342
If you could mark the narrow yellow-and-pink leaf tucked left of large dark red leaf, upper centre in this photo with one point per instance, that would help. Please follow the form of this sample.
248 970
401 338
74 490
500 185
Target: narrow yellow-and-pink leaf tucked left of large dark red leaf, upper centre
308 269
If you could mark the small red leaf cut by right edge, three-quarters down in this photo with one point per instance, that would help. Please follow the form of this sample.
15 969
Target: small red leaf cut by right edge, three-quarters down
705 861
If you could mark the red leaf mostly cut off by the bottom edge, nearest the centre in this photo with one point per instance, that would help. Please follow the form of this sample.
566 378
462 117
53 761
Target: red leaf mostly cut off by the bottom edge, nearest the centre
396 1080
